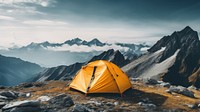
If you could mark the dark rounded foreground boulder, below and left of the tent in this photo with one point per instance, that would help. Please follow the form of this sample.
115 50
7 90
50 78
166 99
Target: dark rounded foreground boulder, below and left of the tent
62 100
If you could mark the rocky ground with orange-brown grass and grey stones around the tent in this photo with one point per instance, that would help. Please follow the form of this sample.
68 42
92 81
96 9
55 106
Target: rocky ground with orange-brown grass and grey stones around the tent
55 96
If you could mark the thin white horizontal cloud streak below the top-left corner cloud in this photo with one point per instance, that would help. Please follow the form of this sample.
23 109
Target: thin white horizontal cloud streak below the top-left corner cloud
44 23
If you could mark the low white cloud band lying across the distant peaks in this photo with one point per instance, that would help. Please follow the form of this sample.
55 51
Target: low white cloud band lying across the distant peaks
83 48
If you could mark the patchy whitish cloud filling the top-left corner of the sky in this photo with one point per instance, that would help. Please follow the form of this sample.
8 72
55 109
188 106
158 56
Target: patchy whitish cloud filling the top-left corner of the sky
25 7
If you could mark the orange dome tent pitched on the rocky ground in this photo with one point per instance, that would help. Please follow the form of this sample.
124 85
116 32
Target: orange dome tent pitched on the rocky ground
101 77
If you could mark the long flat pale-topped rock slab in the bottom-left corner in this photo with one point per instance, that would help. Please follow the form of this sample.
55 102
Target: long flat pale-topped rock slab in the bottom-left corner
25 103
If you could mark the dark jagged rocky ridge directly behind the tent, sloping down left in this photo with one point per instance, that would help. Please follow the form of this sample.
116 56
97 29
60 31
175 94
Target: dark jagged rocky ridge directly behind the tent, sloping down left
67 72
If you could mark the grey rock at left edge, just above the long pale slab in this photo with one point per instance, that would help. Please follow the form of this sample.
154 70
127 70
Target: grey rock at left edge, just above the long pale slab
9 94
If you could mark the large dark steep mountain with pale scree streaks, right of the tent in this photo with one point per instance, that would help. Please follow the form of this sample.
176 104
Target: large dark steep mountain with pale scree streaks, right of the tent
174 59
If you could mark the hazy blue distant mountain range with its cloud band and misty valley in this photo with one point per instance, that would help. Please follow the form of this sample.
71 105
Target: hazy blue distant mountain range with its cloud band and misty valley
71 51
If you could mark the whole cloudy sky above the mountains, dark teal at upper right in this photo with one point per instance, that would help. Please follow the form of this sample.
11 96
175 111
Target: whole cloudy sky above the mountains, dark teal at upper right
132 21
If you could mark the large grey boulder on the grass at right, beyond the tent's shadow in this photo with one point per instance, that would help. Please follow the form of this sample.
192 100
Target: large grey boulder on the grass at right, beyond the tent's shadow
181 90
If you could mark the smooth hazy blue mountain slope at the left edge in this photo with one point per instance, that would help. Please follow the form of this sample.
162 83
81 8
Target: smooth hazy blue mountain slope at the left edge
14 71
